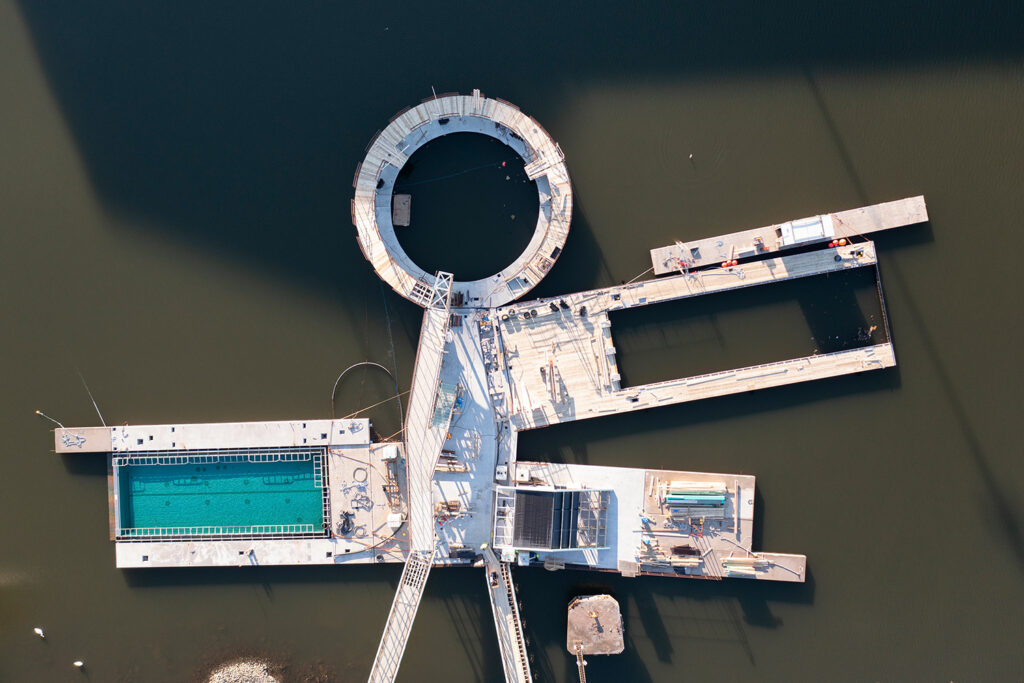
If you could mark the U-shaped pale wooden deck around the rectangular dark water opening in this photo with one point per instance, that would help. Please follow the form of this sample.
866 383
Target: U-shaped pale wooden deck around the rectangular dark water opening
562 366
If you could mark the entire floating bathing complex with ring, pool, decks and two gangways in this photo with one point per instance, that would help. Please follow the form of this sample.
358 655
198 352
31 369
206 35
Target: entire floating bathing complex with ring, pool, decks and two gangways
488 367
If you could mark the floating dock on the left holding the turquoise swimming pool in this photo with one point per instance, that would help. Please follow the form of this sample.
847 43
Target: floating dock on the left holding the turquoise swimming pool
358 514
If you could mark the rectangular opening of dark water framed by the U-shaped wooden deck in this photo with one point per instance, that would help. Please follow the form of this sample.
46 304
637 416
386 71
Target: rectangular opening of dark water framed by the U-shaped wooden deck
750 326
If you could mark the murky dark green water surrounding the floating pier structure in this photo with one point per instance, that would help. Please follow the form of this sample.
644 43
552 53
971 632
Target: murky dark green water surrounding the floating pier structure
175 225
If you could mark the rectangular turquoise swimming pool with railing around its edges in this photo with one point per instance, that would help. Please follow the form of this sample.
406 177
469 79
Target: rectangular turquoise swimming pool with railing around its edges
210 493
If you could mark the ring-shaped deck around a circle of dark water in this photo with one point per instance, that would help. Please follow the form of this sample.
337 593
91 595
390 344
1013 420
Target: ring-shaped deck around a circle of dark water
414 127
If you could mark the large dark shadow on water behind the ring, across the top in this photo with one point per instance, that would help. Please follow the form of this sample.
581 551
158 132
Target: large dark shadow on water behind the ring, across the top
243 139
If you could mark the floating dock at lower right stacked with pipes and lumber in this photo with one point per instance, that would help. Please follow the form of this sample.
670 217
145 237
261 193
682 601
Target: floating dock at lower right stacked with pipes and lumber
704 532
